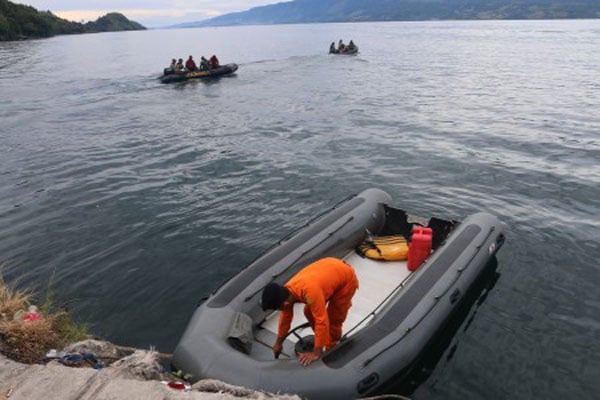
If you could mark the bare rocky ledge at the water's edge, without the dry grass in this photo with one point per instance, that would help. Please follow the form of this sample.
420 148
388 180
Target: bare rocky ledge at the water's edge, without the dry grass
117 373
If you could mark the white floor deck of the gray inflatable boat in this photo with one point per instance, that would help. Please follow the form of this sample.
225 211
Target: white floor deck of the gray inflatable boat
377 279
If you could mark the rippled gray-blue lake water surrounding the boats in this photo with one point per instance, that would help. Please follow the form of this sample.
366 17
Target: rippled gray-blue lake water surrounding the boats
129 200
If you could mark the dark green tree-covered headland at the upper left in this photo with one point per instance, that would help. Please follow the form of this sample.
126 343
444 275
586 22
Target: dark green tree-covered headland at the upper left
19 22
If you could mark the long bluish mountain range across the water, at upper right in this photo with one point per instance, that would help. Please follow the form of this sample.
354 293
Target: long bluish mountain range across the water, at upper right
310 11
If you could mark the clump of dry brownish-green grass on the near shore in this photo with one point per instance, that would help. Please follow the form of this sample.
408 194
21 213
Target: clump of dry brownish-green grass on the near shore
29 341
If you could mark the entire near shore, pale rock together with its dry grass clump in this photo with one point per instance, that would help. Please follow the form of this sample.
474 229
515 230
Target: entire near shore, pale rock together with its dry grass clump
45 355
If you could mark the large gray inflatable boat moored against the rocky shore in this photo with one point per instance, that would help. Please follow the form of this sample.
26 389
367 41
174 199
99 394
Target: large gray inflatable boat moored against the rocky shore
395 314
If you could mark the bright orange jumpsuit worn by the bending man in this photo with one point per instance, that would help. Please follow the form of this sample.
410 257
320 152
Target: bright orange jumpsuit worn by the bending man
326 288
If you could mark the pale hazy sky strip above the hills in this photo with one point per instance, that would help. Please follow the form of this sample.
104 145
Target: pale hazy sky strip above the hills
150 13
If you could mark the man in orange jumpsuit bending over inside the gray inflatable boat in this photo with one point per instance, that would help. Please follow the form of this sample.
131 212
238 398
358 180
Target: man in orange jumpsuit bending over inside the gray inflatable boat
326 287
